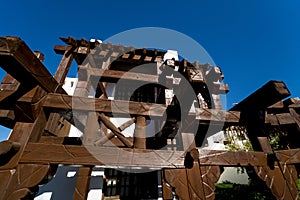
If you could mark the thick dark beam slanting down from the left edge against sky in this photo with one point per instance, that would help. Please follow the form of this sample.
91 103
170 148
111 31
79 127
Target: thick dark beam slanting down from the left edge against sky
19 61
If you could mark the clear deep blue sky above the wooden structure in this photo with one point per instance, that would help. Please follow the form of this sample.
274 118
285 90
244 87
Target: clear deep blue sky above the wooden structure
252 41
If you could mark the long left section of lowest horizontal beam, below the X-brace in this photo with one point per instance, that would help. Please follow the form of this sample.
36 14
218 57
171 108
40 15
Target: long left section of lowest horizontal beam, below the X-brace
90 155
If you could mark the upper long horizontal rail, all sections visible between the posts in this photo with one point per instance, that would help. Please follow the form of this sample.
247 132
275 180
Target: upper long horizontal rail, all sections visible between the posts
119 107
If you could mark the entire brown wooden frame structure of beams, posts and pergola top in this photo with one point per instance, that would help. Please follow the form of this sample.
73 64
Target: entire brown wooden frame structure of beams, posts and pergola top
40 113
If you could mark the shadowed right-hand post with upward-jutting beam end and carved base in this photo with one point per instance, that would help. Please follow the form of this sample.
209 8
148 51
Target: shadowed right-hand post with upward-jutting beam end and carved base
280 179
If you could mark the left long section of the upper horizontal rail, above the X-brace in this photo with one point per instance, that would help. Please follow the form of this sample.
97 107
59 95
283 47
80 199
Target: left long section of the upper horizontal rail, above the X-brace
65 102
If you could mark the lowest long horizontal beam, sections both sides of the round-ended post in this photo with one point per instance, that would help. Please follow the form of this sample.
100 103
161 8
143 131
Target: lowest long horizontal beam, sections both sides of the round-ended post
110 156
